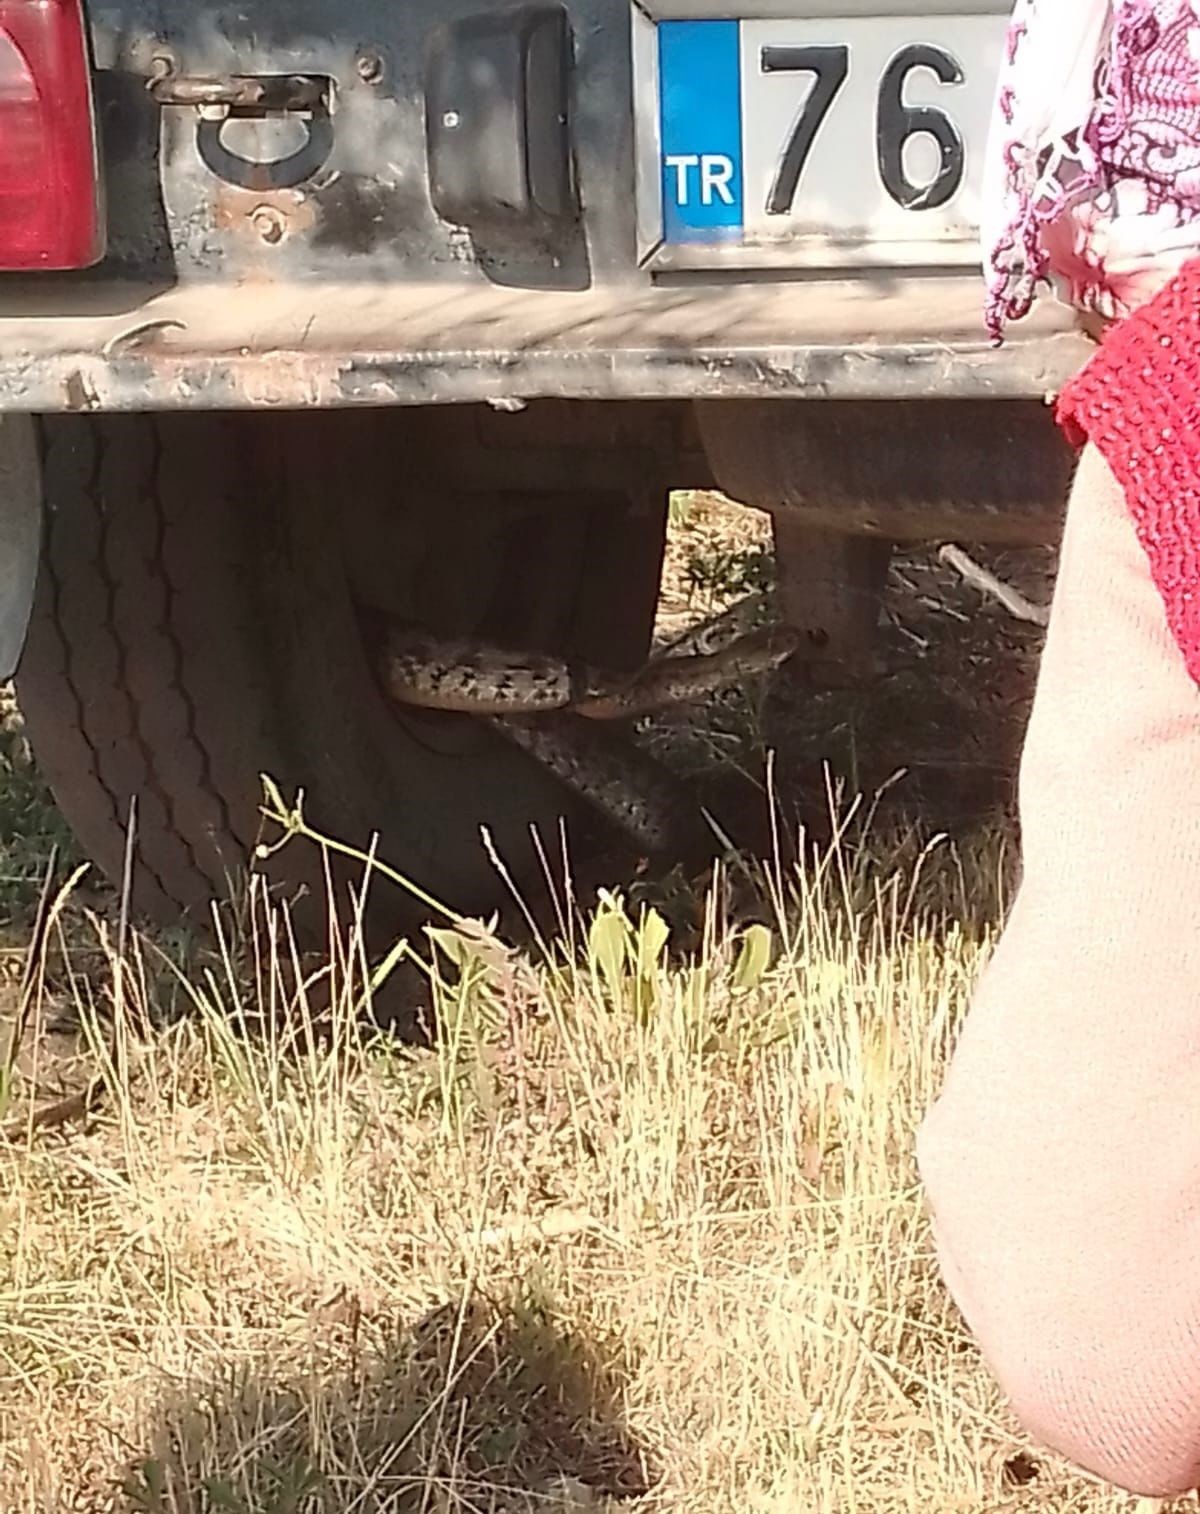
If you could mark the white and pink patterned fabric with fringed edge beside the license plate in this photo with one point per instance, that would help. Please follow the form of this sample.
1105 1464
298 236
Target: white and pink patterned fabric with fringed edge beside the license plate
1095 175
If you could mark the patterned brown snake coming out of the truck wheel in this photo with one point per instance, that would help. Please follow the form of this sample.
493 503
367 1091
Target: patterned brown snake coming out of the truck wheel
562 714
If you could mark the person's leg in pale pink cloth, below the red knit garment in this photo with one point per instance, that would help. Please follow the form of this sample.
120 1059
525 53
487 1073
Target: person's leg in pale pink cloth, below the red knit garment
1063 1159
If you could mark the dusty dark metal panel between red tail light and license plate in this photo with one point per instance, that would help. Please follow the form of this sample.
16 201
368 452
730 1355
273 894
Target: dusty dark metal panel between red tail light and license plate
370 214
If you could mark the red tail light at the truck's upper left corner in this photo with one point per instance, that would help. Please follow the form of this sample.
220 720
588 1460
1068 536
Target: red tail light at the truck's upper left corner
49 175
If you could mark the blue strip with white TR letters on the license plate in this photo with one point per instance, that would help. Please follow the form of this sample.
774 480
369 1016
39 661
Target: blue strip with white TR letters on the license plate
700 86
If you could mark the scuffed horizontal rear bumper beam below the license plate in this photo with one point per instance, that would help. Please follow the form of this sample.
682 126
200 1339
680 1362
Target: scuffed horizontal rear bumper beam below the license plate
325 346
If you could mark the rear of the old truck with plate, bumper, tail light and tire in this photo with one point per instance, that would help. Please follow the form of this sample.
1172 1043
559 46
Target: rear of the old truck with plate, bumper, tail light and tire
356 316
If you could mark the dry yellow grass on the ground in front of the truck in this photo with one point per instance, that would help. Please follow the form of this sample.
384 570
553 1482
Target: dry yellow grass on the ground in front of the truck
642 1232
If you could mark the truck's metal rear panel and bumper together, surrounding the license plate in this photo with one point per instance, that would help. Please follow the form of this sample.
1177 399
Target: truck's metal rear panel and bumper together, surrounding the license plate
381 275
